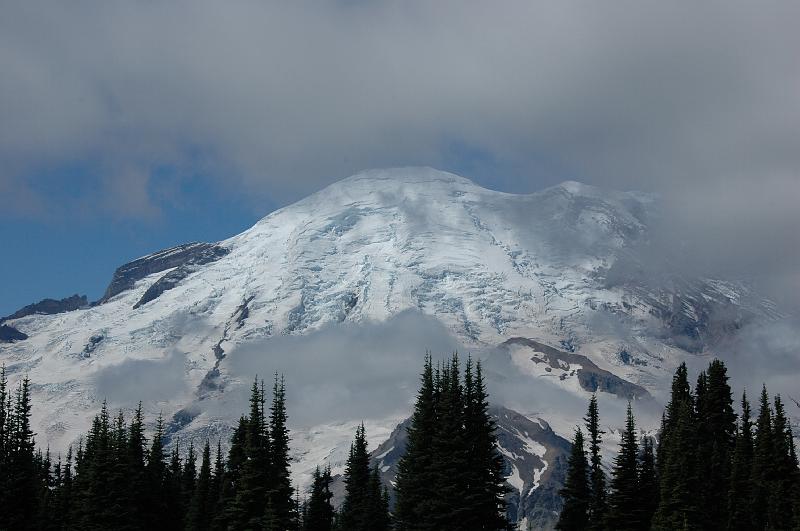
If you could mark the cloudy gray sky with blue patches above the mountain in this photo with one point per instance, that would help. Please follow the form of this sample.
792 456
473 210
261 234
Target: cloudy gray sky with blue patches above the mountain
130 127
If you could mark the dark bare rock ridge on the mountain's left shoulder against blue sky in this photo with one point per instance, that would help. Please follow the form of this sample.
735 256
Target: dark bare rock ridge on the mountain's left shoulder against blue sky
196 253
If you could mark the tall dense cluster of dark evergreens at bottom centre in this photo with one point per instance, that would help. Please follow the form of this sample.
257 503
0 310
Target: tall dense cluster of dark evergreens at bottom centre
450 476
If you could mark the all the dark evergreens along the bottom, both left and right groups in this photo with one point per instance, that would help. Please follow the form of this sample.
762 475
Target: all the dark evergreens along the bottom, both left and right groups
709 471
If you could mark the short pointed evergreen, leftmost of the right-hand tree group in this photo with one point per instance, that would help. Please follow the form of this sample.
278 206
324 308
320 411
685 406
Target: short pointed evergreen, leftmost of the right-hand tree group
576 492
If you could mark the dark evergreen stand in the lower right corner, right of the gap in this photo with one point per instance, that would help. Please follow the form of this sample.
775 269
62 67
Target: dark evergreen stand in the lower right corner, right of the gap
709 469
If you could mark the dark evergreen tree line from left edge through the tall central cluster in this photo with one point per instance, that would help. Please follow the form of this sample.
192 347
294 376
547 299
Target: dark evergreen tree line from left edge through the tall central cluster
118 478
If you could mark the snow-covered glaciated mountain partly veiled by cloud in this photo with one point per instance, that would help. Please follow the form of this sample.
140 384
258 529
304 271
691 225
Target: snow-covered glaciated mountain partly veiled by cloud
537 279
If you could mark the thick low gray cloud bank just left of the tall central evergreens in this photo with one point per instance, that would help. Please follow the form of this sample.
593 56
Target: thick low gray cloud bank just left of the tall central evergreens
345 372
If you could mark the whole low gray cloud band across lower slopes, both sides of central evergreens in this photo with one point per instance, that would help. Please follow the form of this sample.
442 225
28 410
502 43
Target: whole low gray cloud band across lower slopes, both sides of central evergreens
371 370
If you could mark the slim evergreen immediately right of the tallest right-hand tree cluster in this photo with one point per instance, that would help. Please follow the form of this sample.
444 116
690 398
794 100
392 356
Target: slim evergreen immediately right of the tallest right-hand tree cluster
740 494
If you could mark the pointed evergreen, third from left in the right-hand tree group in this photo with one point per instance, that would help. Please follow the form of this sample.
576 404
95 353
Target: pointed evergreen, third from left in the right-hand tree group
624 500
